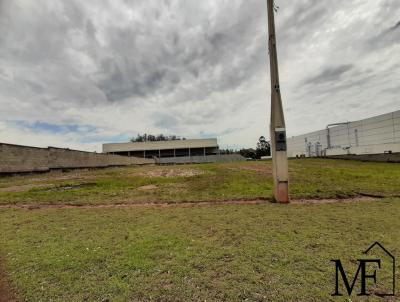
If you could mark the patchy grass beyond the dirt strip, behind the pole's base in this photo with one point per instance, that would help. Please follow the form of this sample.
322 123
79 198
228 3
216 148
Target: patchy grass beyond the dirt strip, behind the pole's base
311 178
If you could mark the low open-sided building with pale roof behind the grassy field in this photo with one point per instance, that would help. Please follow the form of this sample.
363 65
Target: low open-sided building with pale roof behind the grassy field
163 149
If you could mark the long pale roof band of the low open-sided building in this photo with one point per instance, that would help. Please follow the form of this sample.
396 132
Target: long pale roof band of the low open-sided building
160 145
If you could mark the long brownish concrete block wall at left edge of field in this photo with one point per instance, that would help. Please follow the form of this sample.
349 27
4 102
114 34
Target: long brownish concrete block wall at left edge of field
16 158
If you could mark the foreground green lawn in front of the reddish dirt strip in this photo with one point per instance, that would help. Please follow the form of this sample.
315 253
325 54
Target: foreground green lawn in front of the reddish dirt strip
266 252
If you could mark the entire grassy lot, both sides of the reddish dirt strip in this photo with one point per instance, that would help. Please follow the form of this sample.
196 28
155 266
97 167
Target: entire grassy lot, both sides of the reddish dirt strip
263 252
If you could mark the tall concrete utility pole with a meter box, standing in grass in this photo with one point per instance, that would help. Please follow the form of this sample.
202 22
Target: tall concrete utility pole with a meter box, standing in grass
277 127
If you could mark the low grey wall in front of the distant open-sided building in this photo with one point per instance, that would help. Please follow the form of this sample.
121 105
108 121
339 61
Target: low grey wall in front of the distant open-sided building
200 159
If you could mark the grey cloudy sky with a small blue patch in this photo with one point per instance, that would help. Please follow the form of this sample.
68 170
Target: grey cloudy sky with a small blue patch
79 73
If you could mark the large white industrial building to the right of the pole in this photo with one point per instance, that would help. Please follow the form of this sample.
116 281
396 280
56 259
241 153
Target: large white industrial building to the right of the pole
375 135
